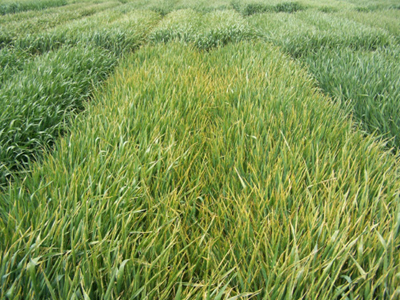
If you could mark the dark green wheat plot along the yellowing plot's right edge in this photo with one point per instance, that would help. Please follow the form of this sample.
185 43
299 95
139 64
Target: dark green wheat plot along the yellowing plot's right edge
368 83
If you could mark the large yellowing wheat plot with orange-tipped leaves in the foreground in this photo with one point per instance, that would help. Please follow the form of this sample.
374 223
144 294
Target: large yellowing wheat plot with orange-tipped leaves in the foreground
206 175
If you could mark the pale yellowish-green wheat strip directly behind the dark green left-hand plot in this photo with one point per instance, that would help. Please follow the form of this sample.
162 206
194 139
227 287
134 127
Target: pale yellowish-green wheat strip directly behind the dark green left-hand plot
110 29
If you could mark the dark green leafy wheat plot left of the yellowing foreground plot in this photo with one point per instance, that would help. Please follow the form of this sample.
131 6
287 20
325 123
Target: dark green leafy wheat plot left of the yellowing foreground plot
37 102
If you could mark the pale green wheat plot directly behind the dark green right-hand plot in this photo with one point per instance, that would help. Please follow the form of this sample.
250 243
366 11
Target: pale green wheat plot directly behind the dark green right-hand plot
306 32
